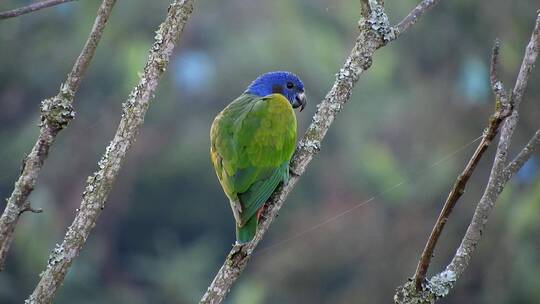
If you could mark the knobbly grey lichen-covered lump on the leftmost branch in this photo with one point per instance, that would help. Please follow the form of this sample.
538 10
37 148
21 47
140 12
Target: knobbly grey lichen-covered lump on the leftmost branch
58 110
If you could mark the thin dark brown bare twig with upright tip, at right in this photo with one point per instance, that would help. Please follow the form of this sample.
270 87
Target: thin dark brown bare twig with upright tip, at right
502 110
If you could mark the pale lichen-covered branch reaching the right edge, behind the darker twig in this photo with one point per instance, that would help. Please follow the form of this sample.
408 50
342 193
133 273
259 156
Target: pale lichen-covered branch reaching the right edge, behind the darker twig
442 283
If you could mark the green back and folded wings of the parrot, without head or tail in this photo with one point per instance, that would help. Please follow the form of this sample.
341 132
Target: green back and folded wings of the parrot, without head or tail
253 140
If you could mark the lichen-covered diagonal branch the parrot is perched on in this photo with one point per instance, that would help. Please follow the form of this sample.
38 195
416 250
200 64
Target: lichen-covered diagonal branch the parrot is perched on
375 32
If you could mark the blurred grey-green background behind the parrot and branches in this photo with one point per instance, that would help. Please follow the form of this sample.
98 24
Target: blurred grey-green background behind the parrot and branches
167 226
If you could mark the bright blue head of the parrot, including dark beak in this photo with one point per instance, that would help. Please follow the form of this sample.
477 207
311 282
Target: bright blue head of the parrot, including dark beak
285 83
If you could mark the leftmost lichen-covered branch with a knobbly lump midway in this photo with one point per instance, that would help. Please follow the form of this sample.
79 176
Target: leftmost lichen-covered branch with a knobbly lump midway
56 112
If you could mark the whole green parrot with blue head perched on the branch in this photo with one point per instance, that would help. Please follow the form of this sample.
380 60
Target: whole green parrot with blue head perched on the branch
252 143
